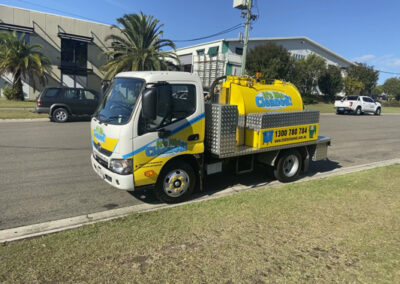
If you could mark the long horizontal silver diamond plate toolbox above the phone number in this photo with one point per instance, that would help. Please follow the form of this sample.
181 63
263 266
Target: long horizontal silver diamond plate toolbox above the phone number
264 120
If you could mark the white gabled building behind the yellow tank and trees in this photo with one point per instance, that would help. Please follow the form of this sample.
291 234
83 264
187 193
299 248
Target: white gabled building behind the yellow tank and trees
223 57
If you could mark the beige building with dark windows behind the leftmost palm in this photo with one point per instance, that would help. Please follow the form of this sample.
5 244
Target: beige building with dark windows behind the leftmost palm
73 46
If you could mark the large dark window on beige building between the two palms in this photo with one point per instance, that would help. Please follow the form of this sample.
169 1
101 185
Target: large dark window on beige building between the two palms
73 57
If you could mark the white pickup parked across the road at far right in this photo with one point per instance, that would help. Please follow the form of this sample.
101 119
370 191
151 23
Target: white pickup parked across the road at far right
357 105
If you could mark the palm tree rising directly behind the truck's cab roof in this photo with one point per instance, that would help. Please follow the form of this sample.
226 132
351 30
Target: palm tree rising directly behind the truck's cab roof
138 47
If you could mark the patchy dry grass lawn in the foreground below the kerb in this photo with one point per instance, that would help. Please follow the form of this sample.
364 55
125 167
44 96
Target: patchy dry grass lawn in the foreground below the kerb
341 229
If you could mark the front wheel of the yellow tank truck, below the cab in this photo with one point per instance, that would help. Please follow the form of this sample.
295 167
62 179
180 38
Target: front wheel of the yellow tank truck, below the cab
176 182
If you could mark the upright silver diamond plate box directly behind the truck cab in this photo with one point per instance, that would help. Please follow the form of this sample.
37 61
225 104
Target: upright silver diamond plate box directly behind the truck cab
221 123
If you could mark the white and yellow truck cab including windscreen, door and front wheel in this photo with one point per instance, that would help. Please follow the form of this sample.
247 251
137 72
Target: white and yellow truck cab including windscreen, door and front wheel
132 144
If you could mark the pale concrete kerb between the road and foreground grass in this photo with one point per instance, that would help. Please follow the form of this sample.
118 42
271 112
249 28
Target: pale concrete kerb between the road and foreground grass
35 230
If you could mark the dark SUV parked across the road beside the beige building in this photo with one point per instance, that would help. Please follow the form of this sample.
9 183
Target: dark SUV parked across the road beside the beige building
61 102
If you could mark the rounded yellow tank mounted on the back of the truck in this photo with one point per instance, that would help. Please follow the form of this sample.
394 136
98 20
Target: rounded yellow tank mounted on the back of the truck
251 96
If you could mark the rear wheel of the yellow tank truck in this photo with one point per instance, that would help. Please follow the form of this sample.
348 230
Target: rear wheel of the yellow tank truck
288 166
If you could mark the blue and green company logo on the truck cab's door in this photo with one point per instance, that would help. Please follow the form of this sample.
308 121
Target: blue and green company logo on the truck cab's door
166 147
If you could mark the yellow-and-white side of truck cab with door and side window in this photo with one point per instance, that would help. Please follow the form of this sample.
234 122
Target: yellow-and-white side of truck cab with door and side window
181 132
